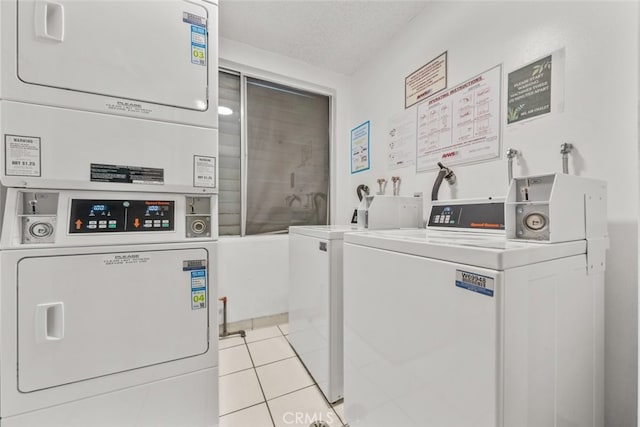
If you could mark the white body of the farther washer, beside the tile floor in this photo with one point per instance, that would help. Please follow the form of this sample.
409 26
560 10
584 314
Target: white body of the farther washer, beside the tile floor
315 303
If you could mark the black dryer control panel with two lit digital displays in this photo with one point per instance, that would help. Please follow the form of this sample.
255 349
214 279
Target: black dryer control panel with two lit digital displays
108 216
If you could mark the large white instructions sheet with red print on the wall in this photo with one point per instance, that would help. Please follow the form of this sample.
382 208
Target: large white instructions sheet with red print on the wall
462 125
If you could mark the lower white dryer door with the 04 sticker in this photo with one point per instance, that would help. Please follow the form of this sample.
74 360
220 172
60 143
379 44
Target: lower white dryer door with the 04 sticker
89 315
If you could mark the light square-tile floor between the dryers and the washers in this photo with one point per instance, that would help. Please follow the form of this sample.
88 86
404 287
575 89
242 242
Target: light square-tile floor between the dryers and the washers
264 384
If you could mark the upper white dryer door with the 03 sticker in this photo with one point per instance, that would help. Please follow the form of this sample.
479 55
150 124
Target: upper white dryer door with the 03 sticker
150 51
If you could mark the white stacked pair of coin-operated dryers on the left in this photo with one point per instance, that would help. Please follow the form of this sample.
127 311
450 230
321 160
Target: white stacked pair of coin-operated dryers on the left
108 117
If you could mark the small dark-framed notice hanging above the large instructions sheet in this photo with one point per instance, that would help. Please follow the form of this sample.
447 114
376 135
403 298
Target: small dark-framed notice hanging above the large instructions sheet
426 81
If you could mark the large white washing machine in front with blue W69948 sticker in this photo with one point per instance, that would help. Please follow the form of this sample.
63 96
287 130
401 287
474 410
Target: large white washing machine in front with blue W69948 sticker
453 328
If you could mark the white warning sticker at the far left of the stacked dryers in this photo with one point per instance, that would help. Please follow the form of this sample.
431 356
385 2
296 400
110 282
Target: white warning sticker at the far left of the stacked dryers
22 155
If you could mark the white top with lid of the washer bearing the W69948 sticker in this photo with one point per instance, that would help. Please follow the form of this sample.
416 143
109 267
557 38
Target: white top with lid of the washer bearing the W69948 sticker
494 252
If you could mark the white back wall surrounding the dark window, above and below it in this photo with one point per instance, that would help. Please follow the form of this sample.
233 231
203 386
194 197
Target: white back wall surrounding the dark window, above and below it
253 271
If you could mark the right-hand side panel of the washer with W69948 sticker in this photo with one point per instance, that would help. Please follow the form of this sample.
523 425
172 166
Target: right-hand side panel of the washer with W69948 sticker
553 364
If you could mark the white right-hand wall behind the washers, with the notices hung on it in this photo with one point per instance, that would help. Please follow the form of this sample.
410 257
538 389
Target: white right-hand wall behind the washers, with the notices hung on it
600 118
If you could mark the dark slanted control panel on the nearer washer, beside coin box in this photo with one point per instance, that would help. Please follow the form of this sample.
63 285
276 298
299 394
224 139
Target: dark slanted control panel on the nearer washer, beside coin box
477 216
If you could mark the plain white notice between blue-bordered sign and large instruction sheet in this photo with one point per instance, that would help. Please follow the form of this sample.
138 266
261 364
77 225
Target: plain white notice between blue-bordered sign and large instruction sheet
402 140
